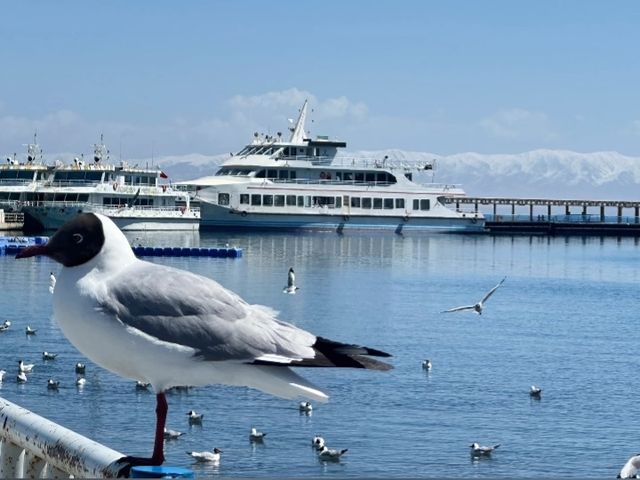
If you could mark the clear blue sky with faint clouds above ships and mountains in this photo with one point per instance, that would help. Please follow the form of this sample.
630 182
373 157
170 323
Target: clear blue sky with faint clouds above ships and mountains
181 77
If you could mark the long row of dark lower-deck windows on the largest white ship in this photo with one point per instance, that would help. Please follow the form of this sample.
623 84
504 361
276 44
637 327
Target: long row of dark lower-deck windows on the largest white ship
320 201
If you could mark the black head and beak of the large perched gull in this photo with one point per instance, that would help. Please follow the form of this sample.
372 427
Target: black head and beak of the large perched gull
75 243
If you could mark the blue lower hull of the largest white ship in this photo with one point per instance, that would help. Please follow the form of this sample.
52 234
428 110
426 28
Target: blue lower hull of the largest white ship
215 216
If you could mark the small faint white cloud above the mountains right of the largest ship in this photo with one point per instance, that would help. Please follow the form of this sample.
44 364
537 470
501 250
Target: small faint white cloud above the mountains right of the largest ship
517 124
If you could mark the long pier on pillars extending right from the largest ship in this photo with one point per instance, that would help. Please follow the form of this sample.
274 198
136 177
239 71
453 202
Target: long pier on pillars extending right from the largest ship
546 216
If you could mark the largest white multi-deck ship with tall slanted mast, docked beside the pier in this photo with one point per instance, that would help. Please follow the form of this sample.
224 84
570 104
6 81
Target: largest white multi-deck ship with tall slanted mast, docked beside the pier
302 184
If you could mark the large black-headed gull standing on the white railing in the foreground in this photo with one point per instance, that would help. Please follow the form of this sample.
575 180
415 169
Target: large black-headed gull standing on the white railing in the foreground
158 324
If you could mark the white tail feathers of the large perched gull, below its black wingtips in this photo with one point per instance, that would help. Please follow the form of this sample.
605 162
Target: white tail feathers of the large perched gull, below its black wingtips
283 382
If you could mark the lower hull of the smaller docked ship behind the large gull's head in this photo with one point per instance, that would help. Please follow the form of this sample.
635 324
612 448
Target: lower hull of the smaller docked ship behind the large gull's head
52 218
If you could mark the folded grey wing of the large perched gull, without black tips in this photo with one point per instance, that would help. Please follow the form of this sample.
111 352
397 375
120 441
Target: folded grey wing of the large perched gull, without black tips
180 307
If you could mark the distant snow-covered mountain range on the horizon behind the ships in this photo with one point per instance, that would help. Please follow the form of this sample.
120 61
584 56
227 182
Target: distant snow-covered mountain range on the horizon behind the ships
539 173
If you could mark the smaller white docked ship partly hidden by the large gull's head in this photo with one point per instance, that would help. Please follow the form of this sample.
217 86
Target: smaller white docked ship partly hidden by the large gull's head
134 198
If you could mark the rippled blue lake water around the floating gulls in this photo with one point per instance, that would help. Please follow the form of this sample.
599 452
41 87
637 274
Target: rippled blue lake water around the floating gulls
565 319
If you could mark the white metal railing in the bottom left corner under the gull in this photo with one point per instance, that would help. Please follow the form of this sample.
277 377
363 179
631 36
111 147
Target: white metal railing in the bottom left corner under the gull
33 447
